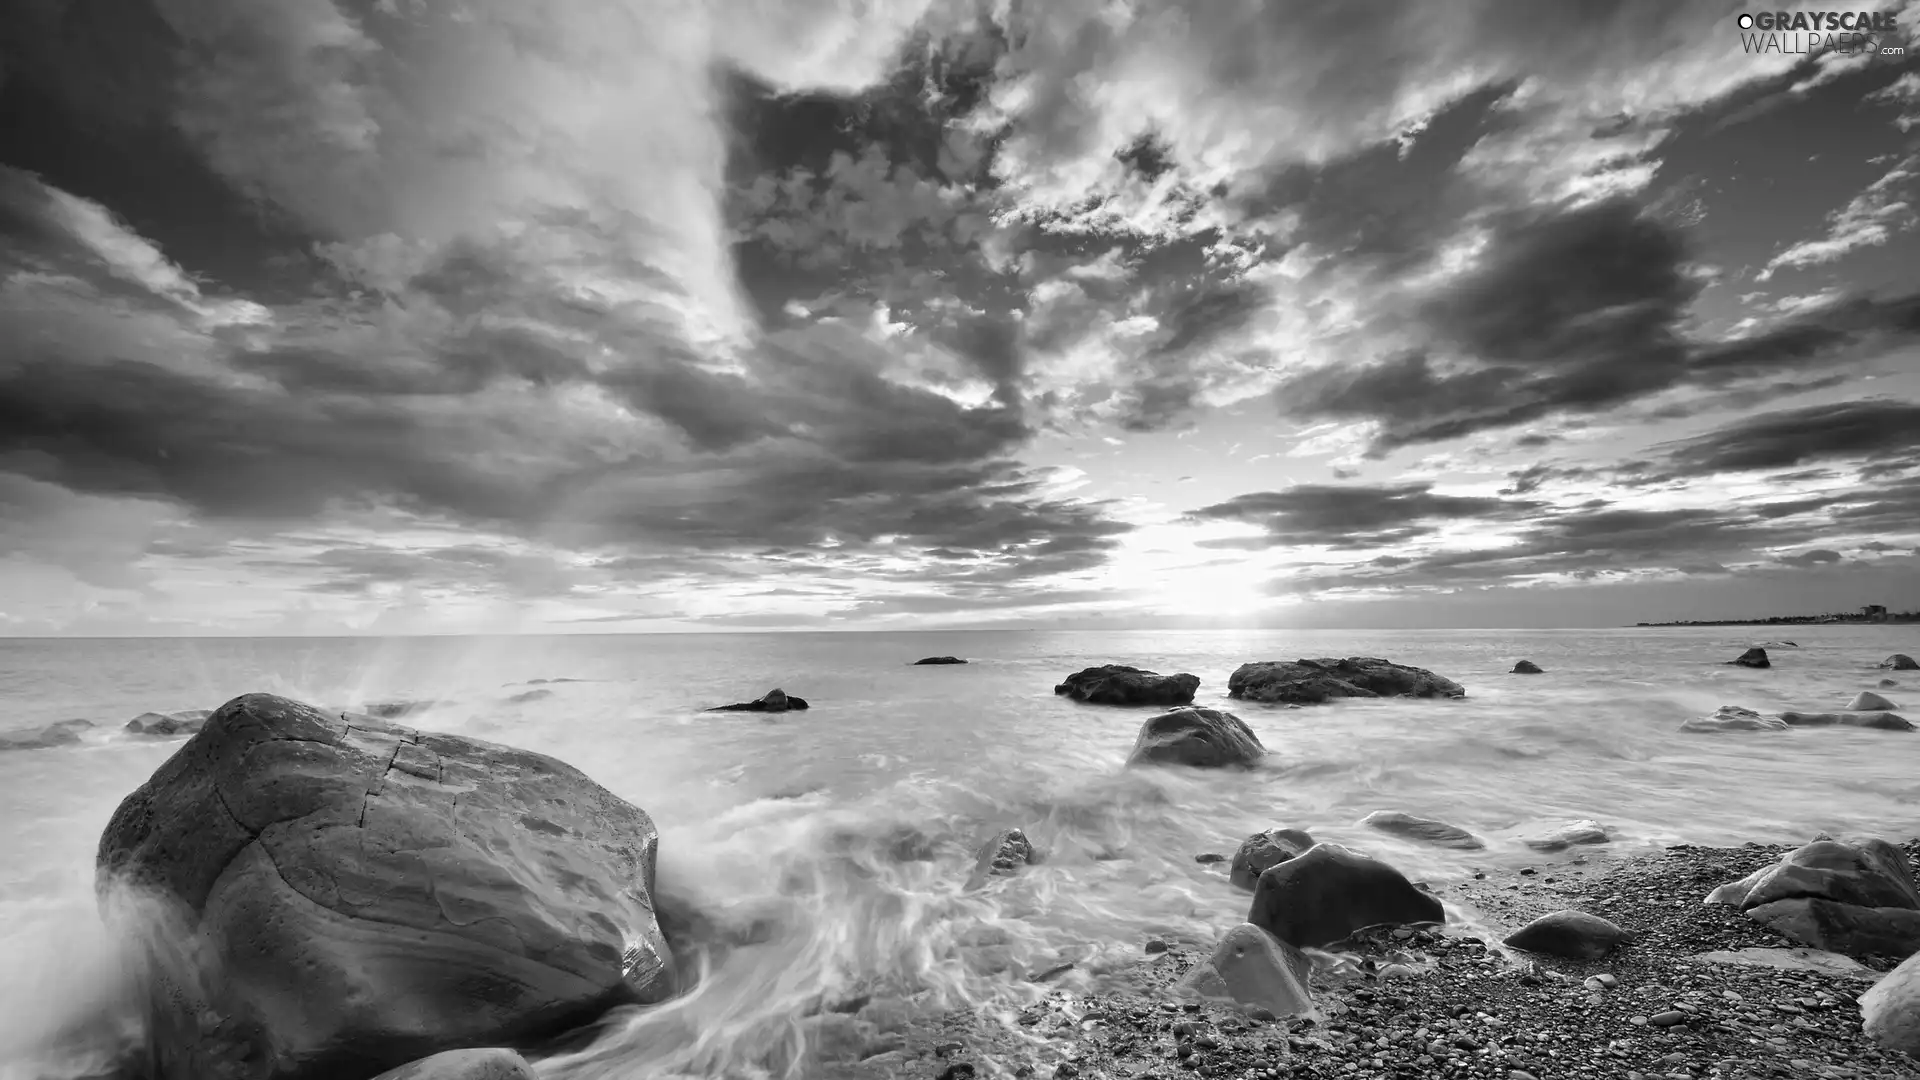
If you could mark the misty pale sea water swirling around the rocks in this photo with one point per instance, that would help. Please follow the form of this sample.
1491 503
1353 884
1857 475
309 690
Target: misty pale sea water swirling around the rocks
788 833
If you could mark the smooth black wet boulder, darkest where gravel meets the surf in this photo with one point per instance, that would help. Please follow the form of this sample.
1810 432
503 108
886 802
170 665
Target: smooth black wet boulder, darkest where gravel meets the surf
1330 893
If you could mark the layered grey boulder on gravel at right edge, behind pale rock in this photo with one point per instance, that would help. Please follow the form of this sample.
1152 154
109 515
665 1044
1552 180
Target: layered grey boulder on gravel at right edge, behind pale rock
1846 898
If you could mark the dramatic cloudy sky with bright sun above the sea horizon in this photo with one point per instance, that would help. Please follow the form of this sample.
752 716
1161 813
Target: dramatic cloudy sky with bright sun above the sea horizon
483 316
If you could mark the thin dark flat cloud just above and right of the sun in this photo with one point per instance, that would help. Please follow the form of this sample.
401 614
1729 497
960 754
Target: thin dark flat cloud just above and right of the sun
1355 516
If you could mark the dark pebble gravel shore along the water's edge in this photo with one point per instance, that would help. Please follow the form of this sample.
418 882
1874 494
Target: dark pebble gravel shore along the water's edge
1458 1004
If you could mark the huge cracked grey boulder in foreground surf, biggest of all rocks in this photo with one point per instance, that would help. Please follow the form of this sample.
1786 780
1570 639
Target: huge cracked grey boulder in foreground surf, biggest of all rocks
364 895
